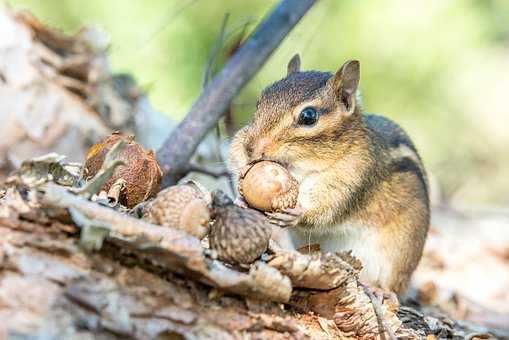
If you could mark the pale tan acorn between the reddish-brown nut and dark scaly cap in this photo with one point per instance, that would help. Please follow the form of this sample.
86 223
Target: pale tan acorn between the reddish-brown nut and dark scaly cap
183 206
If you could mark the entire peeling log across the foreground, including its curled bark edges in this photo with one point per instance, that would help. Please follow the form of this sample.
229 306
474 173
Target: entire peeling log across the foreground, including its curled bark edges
139 284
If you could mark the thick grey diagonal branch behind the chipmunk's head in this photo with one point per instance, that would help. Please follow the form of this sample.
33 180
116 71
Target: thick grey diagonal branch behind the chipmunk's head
213 102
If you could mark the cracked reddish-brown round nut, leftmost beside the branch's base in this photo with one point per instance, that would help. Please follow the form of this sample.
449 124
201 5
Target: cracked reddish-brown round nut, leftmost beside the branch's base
141 172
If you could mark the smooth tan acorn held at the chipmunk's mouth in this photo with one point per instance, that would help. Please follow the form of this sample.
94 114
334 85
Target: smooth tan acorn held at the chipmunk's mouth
268 186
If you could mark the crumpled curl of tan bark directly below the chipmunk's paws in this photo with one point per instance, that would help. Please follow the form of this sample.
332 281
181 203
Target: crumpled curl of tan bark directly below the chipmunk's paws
335 292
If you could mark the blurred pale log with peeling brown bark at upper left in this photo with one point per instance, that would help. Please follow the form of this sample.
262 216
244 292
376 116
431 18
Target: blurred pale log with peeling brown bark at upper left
50 85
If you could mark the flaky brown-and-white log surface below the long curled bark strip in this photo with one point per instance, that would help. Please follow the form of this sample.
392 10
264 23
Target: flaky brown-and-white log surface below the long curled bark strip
51 289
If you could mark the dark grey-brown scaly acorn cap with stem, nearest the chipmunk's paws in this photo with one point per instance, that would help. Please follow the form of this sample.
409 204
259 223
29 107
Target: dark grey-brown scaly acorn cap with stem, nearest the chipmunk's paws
238 235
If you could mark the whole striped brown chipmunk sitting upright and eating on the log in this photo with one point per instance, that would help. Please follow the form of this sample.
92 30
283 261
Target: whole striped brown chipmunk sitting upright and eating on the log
362 185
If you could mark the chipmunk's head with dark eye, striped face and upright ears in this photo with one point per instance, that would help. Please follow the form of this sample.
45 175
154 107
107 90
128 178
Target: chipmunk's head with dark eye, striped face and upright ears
302 120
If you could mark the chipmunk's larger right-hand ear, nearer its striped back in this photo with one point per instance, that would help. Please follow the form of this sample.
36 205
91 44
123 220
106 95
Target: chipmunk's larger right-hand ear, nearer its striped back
345 82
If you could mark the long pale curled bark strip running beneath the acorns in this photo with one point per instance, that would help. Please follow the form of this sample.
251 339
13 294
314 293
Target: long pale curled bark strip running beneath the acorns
173 248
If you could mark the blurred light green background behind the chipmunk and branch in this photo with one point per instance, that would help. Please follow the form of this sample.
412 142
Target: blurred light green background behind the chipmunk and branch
440 68
